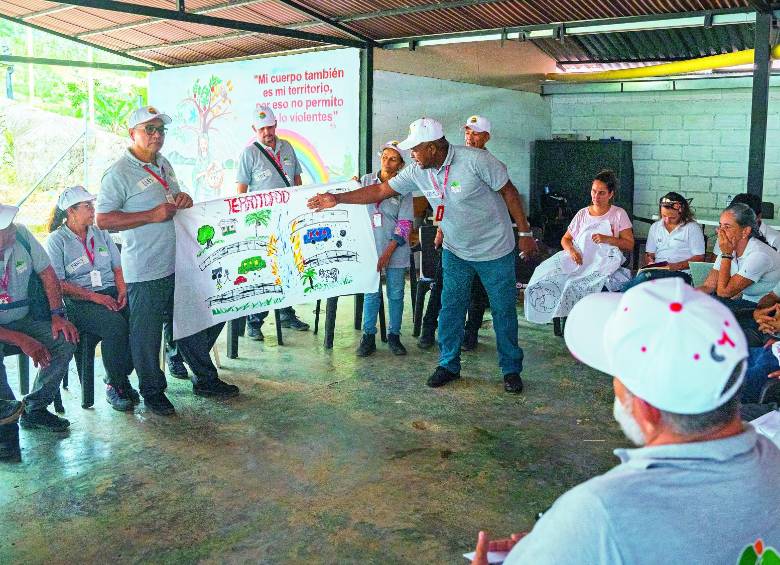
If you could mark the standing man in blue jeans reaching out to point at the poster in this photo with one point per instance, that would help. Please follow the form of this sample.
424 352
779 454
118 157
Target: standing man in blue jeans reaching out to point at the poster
471 194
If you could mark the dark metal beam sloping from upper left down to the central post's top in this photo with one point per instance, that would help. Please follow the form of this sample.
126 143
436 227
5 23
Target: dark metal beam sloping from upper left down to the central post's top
175 15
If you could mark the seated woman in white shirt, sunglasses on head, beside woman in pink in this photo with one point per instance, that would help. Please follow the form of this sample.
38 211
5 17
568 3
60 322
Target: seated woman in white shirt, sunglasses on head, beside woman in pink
676 239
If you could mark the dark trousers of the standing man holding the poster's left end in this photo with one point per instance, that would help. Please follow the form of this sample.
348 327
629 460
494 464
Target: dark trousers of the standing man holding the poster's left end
151 308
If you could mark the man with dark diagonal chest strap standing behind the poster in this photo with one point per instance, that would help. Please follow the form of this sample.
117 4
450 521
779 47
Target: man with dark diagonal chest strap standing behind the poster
267 164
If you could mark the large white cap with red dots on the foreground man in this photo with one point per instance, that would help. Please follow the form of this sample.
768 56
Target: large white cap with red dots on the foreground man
669 344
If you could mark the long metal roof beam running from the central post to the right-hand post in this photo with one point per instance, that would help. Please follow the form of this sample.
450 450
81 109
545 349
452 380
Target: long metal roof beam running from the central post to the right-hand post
586 27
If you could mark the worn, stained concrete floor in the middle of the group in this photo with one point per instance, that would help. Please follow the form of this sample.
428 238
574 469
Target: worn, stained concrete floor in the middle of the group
324 458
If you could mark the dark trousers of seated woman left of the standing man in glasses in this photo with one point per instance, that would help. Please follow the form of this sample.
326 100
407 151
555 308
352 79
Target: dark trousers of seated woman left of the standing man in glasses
112 328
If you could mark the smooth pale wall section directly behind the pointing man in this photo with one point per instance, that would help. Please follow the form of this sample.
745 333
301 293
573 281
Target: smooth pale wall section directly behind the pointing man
518 118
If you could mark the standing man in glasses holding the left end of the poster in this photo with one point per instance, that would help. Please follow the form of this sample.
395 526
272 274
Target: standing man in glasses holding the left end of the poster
139 196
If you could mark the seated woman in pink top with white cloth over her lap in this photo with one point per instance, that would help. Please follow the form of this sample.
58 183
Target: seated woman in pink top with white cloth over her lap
593 247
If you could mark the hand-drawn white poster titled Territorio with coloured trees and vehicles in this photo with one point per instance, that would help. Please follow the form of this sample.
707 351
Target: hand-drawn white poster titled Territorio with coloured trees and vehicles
265 250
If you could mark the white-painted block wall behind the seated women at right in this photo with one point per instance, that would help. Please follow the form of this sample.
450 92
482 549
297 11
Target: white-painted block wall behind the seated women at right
693 142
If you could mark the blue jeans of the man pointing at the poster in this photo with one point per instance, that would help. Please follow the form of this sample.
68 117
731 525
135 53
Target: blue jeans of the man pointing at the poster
498 278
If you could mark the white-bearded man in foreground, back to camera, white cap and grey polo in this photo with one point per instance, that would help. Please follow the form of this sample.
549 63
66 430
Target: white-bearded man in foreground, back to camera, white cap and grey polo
702 487
